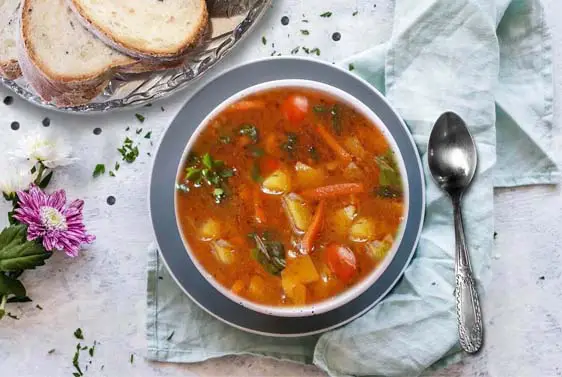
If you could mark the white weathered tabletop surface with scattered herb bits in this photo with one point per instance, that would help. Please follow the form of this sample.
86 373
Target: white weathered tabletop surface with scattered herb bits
103 291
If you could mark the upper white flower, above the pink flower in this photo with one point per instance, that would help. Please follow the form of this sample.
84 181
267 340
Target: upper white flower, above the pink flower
36 147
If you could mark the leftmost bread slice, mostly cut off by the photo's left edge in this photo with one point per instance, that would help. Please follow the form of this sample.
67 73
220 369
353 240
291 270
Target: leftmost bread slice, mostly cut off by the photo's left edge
9 11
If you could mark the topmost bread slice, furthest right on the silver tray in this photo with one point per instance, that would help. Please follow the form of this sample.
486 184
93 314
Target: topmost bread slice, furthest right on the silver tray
149 29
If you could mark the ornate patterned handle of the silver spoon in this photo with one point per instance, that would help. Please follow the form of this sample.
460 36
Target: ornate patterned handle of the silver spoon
468 305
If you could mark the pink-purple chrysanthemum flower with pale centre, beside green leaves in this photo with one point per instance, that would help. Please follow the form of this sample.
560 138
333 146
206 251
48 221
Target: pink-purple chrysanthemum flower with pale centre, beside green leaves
48 217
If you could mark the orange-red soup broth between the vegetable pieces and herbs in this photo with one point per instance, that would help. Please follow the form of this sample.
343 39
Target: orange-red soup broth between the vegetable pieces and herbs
236 214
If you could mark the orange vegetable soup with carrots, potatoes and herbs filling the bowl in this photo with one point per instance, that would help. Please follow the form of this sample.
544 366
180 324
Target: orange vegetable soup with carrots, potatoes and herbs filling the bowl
289 197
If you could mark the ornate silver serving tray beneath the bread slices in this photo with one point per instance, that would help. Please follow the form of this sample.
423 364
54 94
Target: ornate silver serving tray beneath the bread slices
230 21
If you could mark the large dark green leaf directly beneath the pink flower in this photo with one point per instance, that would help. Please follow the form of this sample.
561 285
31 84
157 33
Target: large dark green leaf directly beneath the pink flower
17 253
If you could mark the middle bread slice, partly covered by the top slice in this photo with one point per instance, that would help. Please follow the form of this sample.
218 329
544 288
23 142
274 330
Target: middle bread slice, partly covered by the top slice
65 63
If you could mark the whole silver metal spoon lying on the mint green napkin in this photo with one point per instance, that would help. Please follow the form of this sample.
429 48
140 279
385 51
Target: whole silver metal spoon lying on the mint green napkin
452 161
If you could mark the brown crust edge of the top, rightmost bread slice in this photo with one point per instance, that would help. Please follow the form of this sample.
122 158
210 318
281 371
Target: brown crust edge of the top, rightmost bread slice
138 51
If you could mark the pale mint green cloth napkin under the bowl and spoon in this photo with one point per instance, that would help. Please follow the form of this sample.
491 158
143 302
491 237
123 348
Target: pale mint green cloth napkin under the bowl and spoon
488 61
